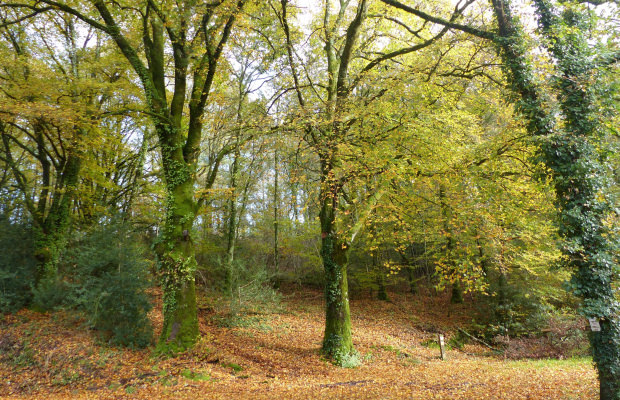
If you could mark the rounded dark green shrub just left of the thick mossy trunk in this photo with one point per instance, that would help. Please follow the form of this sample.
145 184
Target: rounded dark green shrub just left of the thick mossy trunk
107 277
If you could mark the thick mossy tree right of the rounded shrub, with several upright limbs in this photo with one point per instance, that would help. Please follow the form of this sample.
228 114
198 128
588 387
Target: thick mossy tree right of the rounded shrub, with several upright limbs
192 37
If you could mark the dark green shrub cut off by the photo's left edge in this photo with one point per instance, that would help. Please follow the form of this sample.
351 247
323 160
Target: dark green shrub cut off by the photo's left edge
17 266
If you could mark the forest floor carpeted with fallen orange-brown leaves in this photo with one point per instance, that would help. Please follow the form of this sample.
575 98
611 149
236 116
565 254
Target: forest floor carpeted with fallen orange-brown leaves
276 356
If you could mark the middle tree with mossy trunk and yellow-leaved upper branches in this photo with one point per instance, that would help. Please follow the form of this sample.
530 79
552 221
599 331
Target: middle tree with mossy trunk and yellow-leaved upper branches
332 115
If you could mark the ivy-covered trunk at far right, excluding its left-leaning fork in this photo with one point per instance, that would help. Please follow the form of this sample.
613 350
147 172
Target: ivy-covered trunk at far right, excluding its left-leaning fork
582 183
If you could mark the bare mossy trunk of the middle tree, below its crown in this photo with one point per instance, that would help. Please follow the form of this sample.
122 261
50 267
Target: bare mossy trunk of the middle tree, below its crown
337 340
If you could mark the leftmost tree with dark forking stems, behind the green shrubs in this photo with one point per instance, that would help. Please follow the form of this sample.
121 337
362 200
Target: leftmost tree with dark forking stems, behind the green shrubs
50 116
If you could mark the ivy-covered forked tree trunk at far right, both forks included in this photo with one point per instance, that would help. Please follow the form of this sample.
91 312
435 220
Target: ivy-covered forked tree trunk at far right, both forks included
575 164
